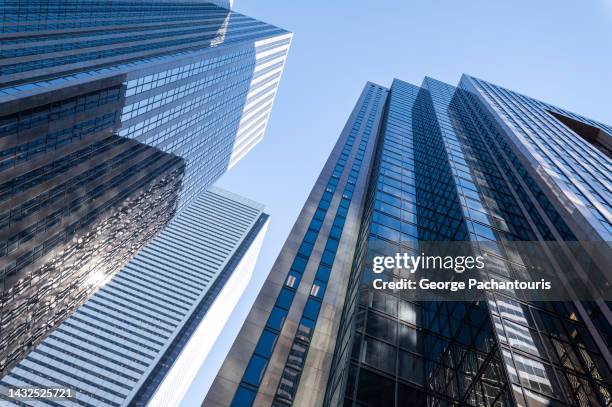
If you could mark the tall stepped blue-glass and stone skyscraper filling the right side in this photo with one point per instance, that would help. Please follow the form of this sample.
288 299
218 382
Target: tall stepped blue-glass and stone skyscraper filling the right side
475 164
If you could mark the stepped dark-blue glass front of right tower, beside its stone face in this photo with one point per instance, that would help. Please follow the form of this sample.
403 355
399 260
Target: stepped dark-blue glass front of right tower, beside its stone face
452 175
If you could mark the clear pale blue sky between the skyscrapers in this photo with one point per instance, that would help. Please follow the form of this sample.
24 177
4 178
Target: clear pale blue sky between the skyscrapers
559 51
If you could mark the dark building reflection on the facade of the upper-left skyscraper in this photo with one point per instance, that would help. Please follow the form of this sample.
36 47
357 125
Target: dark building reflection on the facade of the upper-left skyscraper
77 202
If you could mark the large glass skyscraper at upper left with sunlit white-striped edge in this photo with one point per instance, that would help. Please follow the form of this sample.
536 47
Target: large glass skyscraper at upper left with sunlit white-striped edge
114 115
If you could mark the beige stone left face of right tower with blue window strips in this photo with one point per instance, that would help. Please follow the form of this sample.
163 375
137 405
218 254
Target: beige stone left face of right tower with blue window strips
306 266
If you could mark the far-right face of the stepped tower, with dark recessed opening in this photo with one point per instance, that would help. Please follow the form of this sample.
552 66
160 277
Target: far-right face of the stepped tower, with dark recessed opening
571 164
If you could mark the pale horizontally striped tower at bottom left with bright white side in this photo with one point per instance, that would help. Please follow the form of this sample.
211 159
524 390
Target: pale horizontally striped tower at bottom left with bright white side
144 335
